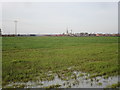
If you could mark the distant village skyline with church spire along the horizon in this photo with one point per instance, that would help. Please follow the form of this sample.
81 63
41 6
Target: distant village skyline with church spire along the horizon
68 33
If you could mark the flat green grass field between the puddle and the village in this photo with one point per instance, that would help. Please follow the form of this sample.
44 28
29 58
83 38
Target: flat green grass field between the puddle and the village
31 58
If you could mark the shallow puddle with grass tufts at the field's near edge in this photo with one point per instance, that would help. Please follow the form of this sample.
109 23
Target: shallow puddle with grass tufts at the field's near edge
82 81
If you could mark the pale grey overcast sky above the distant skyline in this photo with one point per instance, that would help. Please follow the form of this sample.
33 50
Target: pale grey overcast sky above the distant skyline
56 17
